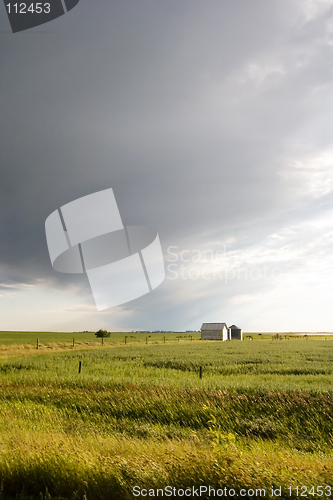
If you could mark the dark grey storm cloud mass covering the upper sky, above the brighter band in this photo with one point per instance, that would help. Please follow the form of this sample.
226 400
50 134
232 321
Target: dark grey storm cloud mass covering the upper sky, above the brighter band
188 110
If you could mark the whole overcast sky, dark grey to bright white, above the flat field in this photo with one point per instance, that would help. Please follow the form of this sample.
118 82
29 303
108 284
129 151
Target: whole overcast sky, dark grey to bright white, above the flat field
212 122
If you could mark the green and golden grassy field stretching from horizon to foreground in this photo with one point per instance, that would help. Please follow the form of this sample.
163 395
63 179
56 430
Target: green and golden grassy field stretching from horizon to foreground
139 415
